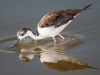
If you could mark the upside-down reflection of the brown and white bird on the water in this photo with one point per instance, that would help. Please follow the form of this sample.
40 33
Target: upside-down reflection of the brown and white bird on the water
53 57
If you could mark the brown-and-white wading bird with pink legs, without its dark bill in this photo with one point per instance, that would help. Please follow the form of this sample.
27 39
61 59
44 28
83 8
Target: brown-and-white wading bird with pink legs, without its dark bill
51 24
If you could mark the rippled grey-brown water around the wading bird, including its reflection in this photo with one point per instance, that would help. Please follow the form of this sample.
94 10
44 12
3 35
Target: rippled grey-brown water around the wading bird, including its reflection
78 55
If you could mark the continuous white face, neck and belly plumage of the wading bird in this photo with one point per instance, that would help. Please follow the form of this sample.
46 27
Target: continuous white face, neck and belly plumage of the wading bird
44 32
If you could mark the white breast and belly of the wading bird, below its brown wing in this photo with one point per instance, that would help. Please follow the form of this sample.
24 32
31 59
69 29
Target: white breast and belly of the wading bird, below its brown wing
51 31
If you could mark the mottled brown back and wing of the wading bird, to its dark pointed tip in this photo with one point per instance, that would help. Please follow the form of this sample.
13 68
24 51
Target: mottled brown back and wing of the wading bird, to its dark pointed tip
59 17
